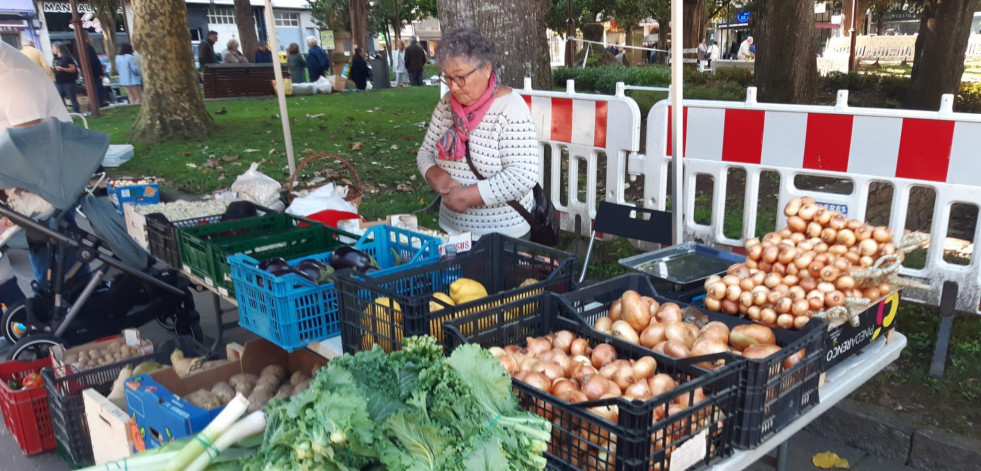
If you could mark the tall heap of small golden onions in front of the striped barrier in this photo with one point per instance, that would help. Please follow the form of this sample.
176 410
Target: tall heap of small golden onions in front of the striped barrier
802 269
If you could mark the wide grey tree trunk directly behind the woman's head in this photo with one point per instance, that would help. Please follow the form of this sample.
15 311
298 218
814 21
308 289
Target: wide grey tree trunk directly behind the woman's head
517 27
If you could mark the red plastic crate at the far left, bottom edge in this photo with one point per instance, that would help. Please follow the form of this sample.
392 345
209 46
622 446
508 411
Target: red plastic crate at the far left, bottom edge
25 411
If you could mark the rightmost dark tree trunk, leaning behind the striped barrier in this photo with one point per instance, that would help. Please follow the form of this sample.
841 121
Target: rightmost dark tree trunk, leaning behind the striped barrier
938 62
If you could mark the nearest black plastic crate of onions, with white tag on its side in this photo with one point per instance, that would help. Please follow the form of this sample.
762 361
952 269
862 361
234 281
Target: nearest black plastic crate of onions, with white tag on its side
645 436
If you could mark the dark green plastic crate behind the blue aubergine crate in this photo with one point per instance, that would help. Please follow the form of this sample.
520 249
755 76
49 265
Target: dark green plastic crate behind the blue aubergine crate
205 249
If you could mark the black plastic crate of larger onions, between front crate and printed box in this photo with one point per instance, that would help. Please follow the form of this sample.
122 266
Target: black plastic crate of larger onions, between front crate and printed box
771 396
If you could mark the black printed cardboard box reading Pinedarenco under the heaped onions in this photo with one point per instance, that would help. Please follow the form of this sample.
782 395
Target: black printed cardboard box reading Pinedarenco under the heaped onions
846 340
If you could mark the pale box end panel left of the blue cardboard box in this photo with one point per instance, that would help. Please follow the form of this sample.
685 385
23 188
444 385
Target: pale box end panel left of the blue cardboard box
108 428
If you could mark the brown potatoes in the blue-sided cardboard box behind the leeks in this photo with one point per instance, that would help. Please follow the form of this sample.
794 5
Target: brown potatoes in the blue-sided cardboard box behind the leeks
273 382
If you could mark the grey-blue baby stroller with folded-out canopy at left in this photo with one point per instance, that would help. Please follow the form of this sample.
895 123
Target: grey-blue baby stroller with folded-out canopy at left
112 283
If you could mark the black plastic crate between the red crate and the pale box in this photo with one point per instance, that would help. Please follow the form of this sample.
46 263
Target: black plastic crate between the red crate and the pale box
68 409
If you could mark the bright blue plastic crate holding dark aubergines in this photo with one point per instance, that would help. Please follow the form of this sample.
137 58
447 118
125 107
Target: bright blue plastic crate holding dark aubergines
293 312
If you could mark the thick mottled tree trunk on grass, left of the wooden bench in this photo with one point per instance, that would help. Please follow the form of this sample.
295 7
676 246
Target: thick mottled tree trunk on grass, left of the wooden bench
173 106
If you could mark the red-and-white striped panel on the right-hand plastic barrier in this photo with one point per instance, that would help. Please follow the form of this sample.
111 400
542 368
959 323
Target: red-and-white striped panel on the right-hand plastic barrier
938 150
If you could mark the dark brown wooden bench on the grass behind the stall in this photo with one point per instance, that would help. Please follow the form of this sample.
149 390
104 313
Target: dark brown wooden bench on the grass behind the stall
239 80
